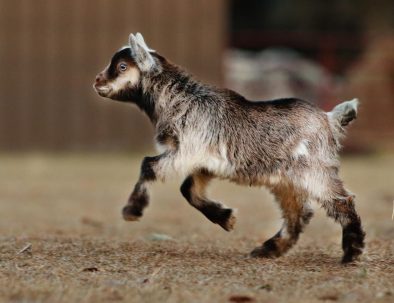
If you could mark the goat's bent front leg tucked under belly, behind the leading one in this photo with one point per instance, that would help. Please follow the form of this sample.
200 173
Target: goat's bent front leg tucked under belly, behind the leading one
193 189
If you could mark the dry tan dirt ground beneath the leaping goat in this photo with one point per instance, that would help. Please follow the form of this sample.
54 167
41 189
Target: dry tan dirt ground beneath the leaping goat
62 238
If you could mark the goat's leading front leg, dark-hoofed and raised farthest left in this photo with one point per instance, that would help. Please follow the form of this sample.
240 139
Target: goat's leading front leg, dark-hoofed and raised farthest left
139 198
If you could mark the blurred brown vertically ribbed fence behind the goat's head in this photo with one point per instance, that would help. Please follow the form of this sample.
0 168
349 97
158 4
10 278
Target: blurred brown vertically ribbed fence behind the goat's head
51 50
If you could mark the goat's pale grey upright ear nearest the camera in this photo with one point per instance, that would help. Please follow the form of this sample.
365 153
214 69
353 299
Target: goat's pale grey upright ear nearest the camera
140 53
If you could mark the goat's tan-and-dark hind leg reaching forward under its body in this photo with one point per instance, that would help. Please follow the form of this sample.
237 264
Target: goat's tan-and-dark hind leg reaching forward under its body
296 213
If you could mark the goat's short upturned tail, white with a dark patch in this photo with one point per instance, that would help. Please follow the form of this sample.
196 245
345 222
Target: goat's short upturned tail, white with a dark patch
341 115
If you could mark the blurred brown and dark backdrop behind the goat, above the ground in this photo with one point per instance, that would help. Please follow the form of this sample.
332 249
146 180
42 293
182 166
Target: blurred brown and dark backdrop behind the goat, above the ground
322 51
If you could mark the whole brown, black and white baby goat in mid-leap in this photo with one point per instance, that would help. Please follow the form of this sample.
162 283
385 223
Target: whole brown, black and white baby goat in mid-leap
202 132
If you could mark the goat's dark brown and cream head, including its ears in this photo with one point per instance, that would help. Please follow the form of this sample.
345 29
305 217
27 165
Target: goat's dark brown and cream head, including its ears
121 79
